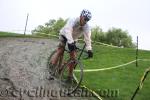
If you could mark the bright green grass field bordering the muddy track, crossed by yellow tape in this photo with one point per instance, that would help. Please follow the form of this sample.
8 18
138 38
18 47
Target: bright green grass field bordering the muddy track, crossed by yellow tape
124 79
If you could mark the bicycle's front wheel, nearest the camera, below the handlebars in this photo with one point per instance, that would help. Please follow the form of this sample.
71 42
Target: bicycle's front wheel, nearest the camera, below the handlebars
71 87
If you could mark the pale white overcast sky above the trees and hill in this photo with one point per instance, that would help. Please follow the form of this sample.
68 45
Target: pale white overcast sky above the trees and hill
130 15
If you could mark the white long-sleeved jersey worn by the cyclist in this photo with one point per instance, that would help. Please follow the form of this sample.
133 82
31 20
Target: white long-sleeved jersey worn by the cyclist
72 31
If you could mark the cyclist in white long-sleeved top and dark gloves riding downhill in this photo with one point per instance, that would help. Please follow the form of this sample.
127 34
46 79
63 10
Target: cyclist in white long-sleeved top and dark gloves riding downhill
73 29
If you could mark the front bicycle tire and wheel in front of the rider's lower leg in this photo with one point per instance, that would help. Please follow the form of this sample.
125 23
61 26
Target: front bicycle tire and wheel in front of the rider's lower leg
71 89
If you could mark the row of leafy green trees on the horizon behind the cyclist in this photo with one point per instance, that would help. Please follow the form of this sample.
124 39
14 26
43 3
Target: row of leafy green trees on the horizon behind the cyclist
114 36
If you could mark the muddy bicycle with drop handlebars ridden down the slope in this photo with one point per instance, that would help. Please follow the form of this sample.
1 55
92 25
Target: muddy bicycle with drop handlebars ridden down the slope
60 70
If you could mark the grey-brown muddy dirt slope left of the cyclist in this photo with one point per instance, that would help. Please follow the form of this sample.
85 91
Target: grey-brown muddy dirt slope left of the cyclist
24 73
